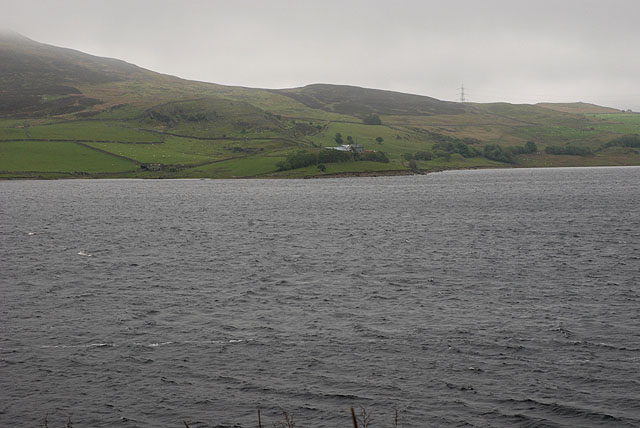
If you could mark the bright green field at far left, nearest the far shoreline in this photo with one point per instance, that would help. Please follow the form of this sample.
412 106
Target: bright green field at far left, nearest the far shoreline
58 157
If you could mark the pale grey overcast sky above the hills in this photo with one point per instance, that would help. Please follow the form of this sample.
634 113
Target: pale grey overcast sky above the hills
501 50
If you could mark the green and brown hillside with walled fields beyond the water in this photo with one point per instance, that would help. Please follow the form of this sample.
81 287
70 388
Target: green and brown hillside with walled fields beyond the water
64 113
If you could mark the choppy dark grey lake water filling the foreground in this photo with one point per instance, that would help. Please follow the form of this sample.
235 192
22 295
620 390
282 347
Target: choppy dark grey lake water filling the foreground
475 298
